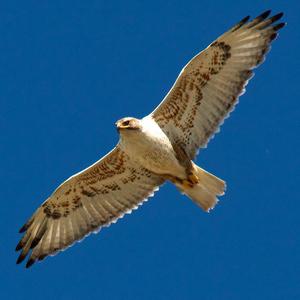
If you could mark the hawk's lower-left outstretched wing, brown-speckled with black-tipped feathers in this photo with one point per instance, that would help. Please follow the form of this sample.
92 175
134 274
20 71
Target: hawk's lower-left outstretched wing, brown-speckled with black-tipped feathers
86 202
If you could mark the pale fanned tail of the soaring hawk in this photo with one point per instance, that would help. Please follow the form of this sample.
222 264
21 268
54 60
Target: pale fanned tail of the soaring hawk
205 191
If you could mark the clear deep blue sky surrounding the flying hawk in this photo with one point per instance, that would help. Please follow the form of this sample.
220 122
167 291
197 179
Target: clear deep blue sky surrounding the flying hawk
69 70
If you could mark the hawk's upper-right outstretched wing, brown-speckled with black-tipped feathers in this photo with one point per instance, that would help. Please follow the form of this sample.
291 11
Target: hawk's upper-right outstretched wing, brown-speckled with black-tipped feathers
208 87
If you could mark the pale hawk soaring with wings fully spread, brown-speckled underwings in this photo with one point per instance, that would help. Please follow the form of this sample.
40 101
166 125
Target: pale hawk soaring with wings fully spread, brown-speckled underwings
158 148
